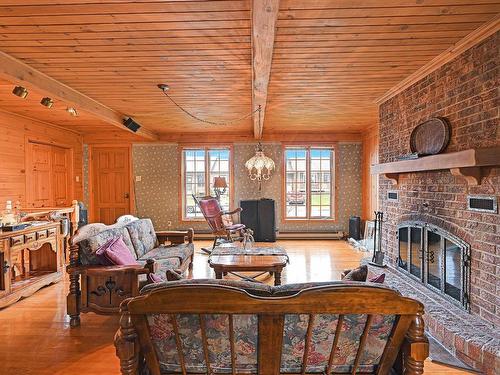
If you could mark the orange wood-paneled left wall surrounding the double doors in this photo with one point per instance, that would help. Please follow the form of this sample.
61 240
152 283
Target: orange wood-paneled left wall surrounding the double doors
15 132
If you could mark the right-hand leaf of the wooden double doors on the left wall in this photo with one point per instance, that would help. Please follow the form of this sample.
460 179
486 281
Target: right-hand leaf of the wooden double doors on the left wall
61 176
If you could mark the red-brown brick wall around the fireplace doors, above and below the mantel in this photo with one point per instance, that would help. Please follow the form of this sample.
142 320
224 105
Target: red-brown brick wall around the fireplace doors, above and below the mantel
464 91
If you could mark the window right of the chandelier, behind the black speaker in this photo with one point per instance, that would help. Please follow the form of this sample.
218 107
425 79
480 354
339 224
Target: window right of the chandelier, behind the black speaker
309 183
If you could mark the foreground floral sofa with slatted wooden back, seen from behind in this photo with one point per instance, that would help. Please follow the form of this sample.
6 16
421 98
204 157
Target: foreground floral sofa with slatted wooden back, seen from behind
247 328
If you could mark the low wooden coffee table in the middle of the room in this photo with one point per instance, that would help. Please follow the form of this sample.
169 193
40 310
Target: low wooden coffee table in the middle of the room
235 259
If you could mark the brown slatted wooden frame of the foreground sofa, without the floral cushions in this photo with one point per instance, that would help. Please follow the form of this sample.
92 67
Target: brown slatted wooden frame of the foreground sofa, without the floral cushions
406 350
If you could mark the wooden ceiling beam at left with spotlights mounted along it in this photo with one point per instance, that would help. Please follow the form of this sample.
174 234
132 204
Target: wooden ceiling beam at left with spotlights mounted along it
20 73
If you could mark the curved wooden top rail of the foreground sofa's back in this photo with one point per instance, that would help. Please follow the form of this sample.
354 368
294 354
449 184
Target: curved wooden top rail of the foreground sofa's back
337 299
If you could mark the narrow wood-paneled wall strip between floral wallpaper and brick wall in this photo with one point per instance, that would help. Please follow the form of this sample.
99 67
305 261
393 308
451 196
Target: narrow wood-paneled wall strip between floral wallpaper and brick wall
370 182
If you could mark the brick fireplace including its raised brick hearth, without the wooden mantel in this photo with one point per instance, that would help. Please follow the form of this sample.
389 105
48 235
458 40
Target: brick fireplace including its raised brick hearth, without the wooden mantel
465 92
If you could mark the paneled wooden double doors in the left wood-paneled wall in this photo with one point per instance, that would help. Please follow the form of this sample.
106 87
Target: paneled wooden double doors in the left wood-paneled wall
48 175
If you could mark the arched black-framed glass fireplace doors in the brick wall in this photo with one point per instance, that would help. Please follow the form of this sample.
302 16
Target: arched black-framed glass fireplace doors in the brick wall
436 258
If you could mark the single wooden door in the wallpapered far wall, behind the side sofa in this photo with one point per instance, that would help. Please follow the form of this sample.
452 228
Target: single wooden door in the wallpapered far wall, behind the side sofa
110 183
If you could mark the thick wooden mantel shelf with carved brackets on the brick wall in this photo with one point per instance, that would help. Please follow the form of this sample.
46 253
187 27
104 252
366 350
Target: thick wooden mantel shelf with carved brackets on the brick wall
470 164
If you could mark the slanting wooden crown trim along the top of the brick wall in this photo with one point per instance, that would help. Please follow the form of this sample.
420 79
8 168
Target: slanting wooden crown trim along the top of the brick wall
458 48
